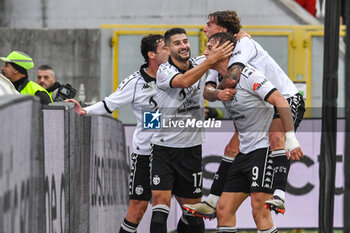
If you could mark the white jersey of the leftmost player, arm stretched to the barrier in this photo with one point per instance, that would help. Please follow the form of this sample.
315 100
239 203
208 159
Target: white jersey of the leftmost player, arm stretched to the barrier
139 90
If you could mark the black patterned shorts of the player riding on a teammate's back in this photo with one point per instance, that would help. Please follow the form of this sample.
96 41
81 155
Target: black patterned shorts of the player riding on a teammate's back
297 107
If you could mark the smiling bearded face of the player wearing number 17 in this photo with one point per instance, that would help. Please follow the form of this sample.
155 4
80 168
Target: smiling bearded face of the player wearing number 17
180 48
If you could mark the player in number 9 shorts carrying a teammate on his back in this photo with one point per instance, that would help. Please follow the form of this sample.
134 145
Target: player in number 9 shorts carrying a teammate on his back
252 109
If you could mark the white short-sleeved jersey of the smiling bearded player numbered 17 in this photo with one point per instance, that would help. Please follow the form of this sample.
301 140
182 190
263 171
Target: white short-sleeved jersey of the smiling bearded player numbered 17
178 107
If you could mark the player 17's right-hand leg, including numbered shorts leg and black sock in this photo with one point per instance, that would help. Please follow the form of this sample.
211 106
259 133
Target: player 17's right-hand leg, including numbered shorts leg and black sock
188 187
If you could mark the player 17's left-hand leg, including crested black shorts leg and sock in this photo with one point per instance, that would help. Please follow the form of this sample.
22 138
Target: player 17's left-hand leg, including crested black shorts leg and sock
162 184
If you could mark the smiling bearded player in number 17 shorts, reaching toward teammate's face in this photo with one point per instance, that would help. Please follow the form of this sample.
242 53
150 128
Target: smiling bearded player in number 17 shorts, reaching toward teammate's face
176 151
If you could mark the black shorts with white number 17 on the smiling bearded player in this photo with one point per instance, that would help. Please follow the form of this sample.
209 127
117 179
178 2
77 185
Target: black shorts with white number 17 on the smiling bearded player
177 169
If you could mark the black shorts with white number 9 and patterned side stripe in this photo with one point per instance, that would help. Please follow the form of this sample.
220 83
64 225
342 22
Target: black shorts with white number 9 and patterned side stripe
252 172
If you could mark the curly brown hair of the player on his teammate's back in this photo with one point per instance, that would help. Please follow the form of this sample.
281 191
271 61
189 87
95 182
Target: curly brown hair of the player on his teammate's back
227 19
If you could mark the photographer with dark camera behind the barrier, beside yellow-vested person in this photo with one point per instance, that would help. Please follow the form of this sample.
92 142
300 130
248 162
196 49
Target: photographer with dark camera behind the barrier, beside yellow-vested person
58 92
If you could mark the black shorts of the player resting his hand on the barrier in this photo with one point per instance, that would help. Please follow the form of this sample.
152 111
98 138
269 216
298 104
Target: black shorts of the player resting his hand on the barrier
139 183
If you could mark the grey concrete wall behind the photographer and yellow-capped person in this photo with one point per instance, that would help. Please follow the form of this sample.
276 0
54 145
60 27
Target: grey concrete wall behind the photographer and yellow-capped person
74 54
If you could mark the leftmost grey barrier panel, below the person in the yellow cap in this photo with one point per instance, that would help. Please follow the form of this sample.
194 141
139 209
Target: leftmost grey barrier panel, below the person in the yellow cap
21 165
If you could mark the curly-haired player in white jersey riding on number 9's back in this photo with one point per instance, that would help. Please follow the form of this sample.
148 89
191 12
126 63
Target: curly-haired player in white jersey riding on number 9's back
247 51
